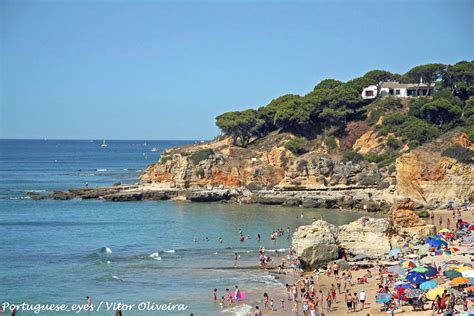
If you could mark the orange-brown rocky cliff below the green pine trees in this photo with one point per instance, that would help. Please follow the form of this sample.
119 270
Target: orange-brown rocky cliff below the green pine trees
275 175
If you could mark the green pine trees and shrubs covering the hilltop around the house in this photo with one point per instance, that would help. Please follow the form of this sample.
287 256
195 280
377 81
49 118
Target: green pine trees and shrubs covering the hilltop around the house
332 104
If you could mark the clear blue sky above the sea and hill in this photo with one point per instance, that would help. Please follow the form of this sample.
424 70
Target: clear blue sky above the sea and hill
164 70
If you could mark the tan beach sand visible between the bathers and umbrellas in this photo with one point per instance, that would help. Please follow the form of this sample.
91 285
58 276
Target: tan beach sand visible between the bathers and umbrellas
370 288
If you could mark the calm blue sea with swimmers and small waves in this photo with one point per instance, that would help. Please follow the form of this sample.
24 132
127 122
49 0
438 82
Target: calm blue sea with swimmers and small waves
151 252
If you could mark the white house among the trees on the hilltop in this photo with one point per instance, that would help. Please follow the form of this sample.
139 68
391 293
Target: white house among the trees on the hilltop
401 90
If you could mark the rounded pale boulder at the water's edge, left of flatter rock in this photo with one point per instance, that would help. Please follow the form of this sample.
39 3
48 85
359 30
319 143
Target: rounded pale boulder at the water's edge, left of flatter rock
315 244
